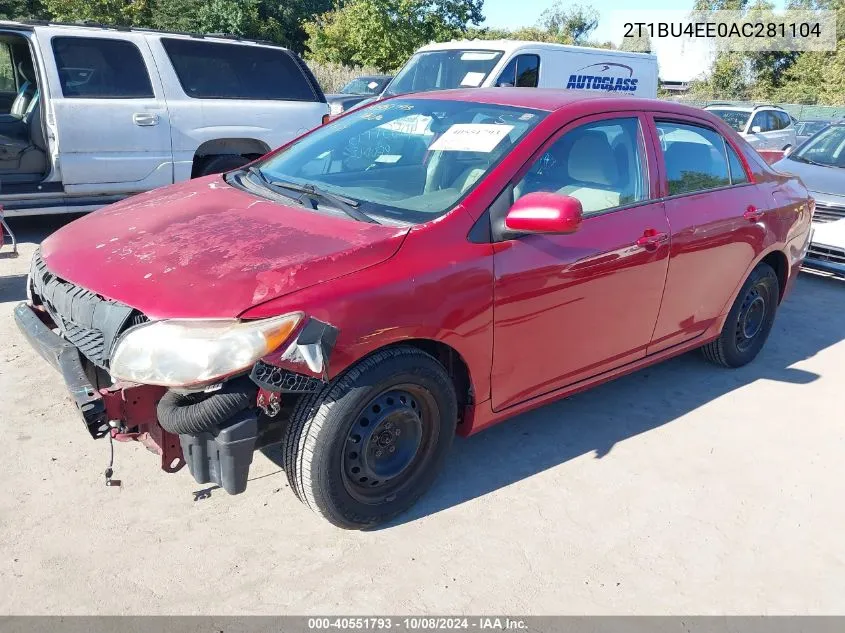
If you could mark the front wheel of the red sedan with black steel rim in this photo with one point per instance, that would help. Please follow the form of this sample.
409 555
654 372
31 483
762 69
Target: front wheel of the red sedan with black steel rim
371 442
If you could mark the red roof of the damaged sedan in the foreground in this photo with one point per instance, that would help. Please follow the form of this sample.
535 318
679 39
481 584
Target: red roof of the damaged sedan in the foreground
551 99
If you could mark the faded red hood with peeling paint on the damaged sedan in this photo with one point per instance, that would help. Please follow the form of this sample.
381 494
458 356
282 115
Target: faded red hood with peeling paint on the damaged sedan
204 249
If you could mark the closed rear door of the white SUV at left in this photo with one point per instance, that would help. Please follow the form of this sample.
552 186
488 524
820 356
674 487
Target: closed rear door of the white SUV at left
108 111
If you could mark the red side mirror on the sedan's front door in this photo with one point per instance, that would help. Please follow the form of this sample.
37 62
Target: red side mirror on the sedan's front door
543 212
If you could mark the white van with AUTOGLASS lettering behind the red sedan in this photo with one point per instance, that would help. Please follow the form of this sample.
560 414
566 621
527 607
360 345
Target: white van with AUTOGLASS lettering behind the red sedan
490 63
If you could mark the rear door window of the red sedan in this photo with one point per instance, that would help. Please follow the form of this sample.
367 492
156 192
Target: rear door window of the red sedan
694 156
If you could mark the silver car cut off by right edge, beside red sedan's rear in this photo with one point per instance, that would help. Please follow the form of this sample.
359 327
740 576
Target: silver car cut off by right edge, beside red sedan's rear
820 163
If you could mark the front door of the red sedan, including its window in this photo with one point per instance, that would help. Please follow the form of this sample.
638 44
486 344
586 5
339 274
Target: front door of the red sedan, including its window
568 307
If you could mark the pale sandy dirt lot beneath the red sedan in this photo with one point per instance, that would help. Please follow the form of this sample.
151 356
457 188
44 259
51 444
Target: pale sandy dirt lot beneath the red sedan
680 489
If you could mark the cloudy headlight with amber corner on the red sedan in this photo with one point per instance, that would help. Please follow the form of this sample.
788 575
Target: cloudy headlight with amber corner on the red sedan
181 353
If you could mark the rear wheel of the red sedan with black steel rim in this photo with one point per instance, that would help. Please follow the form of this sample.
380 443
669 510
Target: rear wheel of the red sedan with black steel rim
749 321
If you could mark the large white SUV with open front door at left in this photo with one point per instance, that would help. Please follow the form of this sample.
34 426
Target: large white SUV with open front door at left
91 114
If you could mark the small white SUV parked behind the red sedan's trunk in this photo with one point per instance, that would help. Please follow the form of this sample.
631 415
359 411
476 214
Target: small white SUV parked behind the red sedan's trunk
763 126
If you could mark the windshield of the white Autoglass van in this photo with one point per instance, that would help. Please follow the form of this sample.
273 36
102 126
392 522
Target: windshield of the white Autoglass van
441 70
